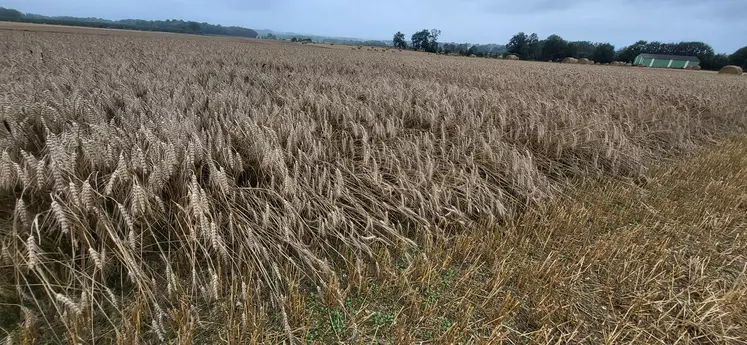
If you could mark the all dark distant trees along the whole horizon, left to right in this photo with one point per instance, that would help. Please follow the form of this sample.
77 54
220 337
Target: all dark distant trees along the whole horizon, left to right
525 46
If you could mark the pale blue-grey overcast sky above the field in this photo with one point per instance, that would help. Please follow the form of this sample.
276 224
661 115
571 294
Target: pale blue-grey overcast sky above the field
720 23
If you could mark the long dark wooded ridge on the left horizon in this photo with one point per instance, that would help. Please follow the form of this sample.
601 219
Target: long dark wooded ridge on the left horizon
180 26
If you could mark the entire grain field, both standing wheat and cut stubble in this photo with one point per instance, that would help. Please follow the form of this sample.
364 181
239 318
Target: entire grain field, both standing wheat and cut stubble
162 187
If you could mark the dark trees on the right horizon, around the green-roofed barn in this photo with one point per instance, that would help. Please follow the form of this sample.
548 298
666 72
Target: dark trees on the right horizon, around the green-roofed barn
555 48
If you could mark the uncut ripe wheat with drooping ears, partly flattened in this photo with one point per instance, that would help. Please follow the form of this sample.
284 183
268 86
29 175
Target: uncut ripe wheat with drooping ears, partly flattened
148 183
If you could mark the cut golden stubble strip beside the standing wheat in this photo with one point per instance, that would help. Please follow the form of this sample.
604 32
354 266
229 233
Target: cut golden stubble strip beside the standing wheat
613 263
